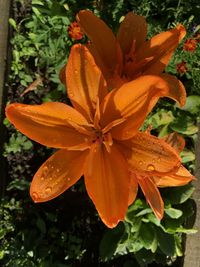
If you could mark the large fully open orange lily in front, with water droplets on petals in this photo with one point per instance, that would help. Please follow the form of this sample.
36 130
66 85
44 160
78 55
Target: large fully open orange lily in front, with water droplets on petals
92 135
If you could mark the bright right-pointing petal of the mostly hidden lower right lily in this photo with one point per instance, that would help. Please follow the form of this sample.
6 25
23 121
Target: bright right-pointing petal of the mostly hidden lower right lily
181 177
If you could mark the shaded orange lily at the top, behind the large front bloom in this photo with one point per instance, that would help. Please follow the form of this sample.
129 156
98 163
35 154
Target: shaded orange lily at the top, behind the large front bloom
128 55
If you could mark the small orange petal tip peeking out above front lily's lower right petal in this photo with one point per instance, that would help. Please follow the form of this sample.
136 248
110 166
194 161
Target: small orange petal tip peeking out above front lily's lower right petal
175 140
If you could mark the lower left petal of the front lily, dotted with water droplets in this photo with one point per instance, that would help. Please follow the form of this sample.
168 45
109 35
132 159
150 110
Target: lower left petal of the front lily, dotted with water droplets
57 174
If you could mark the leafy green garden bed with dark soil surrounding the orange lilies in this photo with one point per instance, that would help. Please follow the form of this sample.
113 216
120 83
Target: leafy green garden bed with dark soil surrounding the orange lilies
67 231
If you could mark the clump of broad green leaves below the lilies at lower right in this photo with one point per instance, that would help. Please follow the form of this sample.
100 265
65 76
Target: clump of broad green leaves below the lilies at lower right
144 236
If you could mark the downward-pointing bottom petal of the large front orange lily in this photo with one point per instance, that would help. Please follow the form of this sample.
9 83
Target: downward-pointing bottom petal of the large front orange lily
107 186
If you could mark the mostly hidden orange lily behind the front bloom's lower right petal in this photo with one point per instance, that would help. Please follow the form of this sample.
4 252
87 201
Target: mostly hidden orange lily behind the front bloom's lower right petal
149 184
